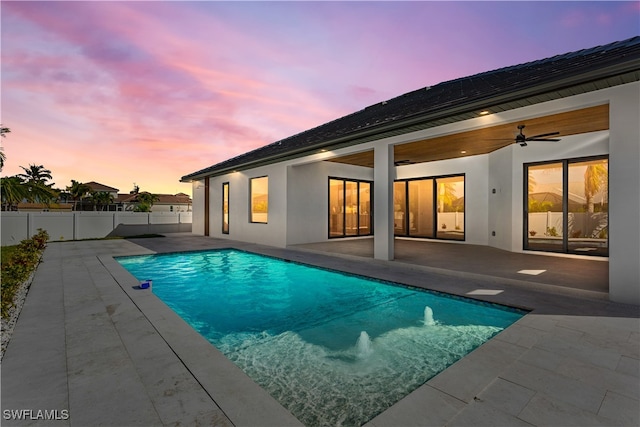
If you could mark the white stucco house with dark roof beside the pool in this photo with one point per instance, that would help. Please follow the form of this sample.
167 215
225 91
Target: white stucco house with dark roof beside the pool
456 162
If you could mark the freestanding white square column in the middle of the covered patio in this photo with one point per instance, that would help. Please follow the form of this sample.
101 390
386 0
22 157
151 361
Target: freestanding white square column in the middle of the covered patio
383 176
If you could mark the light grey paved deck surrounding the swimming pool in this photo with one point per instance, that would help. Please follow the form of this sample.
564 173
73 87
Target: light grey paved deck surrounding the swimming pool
89 342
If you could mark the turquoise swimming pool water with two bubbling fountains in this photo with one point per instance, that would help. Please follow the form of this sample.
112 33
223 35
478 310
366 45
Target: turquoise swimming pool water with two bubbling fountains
333 348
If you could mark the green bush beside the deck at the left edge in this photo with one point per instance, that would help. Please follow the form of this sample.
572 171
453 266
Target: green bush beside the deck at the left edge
20 263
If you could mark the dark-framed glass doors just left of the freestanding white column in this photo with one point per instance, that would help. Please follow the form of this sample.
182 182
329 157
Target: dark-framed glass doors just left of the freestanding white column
349 208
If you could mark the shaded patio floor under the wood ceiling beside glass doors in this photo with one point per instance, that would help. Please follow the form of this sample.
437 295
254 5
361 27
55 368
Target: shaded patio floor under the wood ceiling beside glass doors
553 272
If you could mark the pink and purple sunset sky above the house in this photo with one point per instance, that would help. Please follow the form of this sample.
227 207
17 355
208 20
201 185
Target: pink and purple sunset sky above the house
142 93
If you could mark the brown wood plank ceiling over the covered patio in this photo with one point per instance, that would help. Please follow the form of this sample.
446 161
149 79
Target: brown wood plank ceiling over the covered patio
486 140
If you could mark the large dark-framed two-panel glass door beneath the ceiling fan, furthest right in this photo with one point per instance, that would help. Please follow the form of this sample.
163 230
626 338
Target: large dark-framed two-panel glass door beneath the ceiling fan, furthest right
566 206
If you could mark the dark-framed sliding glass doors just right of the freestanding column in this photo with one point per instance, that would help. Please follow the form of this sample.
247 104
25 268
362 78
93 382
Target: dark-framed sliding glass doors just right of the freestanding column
430 207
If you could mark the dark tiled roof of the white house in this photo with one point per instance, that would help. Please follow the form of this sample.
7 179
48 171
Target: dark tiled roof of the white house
451 98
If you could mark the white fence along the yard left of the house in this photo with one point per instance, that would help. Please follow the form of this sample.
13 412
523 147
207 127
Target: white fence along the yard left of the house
17 226
